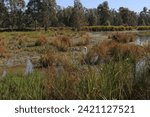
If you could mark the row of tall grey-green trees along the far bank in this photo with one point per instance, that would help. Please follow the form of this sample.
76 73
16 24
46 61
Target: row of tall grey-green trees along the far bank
15 14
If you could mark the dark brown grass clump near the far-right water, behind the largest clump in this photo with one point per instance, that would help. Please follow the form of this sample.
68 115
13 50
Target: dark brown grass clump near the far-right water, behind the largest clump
122 37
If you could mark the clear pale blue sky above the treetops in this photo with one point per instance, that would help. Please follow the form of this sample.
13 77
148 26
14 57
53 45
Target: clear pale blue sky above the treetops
135 5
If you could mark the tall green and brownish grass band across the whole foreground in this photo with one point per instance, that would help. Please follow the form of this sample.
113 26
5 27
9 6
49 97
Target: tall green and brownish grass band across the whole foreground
114 80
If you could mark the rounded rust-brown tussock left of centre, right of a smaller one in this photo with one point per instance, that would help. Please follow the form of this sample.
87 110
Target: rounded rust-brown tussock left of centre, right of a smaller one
61 42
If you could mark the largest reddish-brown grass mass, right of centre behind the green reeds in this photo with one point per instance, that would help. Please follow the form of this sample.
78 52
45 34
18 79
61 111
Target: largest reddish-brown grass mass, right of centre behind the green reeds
108 50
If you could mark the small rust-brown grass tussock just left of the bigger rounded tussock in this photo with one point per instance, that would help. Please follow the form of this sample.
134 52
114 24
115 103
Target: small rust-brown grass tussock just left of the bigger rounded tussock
42 39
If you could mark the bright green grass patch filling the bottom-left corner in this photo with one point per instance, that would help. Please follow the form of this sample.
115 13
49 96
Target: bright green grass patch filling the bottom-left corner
18 86
